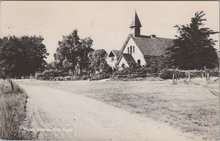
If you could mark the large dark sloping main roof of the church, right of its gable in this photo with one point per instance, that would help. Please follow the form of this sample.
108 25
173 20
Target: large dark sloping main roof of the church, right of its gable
152 46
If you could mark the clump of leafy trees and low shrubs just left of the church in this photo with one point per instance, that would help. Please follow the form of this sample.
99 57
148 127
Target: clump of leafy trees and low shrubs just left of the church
76 60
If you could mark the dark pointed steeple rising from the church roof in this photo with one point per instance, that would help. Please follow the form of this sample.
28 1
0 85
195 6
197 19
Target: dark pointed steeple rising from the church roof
135 26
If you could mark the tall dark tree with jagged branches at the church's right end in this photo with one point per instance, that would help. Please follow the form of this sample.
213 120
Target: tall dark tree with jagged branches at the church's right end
193 48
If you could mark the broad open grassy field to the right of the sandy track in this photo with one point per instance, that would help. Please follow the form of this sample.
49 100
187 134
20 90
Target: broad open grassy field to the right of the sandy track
191 107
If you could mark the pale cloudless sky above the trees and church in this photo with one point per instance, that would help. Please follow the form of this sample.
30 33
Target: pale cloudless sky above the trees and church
106 22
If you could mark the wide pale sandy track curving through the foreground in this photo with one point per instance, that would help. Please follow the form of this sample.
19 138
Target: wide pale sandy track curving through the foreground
62 115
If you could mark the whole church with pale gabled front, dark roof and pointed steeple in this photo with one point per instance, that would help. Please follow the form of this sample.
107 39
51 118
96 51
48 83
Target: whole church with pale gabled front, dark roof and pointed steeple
144 50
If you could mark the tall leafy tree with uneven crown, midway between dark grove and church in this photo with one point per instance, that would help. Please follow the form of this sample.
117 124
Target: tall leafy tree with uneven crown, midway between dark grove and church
72 52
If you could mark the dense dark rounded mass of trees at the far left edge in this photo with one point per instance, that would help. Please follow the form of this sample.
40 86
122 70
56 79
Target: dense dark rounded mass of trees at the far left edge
21 56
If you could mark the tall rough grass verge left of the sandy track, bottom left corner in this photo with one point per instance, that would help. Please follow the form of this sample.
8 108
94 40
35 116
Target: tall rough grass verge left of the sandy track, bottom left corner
12 111
